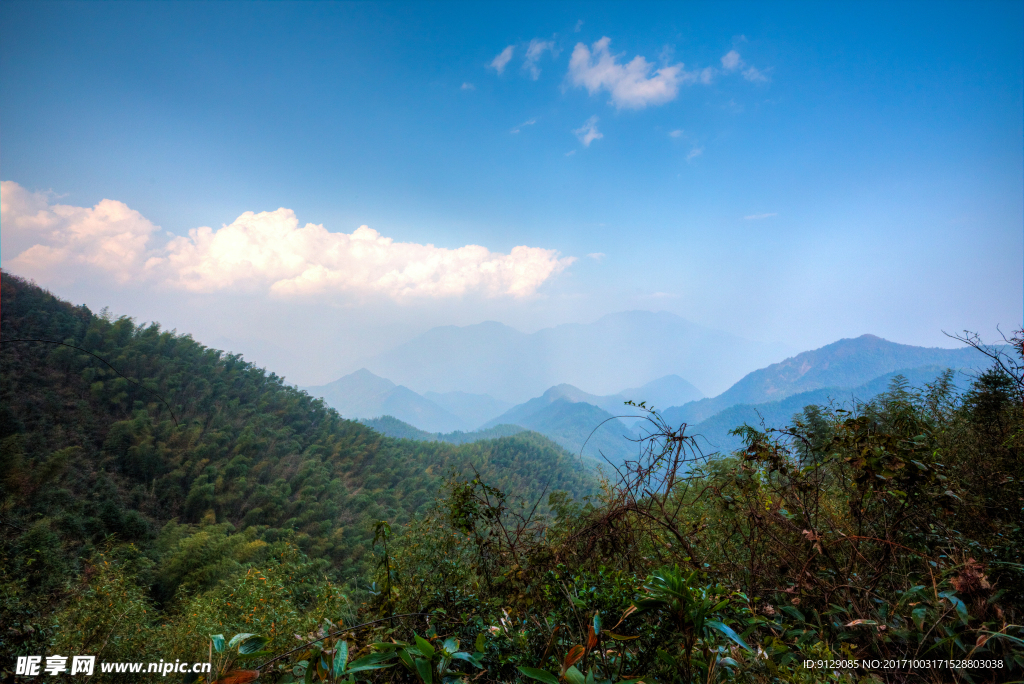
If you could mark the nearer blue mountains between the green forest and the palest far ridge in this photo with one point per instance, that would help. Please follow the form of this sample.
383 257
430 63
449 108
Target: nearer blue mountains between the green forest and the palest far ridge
847 371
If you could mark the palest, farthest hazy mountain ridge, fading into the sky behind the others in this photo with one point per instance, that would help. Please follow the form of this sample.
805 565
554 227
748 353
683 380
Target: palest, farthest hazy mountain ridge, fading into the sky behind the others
618 351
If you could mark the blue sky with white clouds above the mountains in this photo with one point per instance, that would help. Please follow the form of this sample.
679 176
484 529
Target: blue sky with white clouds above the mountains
795 173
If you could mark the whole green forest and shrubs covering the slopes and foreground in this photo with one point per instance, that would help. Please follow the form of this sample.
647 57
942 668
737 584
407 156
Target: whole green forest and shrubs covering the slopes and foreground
164 501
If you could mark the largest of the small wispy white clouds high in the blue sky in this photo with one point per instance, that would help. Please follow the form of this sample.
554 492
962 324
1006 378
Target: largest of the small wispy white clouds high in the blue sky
631 85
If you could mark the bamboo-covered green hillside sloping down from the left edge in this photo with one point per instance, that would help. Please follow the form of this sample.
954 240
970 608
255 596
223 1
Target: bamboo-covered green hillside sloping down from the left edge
127 435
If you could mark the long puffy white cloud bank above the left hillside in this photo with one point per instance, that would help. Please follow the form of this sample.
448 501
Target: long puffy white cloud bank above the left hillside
263 251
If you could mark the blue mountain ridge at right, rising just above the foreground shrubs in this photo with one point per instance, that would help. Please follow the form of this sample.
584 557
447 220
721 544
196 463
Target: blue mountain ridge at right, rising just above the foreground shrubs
846 364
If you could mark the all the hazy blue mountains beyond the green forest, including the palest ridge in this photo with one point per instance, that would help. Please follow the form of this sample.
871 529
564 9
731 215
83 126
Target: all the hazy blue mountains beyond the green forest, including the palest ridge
471 377
